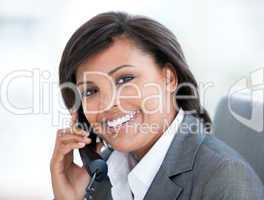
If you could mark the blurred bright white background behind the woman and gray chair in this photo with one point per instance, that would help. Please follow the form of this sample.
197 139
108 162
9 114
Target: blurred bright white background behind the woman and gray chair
222 40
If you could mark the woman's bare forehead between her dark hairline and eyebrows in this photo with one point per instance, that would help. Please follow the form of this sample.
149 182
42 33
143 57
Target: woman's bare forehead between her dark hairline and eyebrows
121 52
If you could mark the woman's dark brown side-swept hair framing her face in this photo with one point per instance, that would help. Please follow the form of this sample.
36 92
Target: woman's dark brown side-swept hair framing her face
97 34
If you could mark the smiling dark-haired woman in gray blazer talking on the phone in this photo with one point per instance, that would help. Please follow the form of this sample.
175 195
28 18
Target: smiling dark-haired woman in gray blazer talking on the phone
139 96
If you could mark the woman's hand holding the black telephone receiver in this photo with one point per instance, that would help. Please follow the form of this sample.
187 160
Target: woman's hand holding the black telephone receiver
68 179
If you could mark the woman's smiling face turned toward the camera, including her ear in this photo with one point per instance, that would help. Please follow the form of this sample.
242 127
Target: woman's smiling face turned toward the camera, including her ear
126 96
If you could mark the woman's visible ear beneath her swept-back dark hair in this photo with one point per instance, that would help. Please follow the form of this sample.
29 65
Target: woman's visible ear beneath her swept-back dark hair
170 77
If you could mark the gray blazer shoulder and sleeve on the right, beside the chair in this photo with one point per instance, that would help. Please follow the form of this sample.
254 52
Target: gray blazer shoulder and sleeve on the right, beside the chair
224 173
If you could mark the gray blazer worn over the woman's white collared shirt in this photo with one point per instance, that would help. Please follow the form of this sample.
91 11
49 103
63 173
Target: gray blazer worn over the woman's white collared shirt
198 166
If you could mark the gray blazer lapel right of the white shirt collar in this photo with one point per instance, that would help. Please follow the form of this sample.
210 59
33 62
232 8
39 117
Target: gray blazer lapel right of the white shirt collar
168 183
